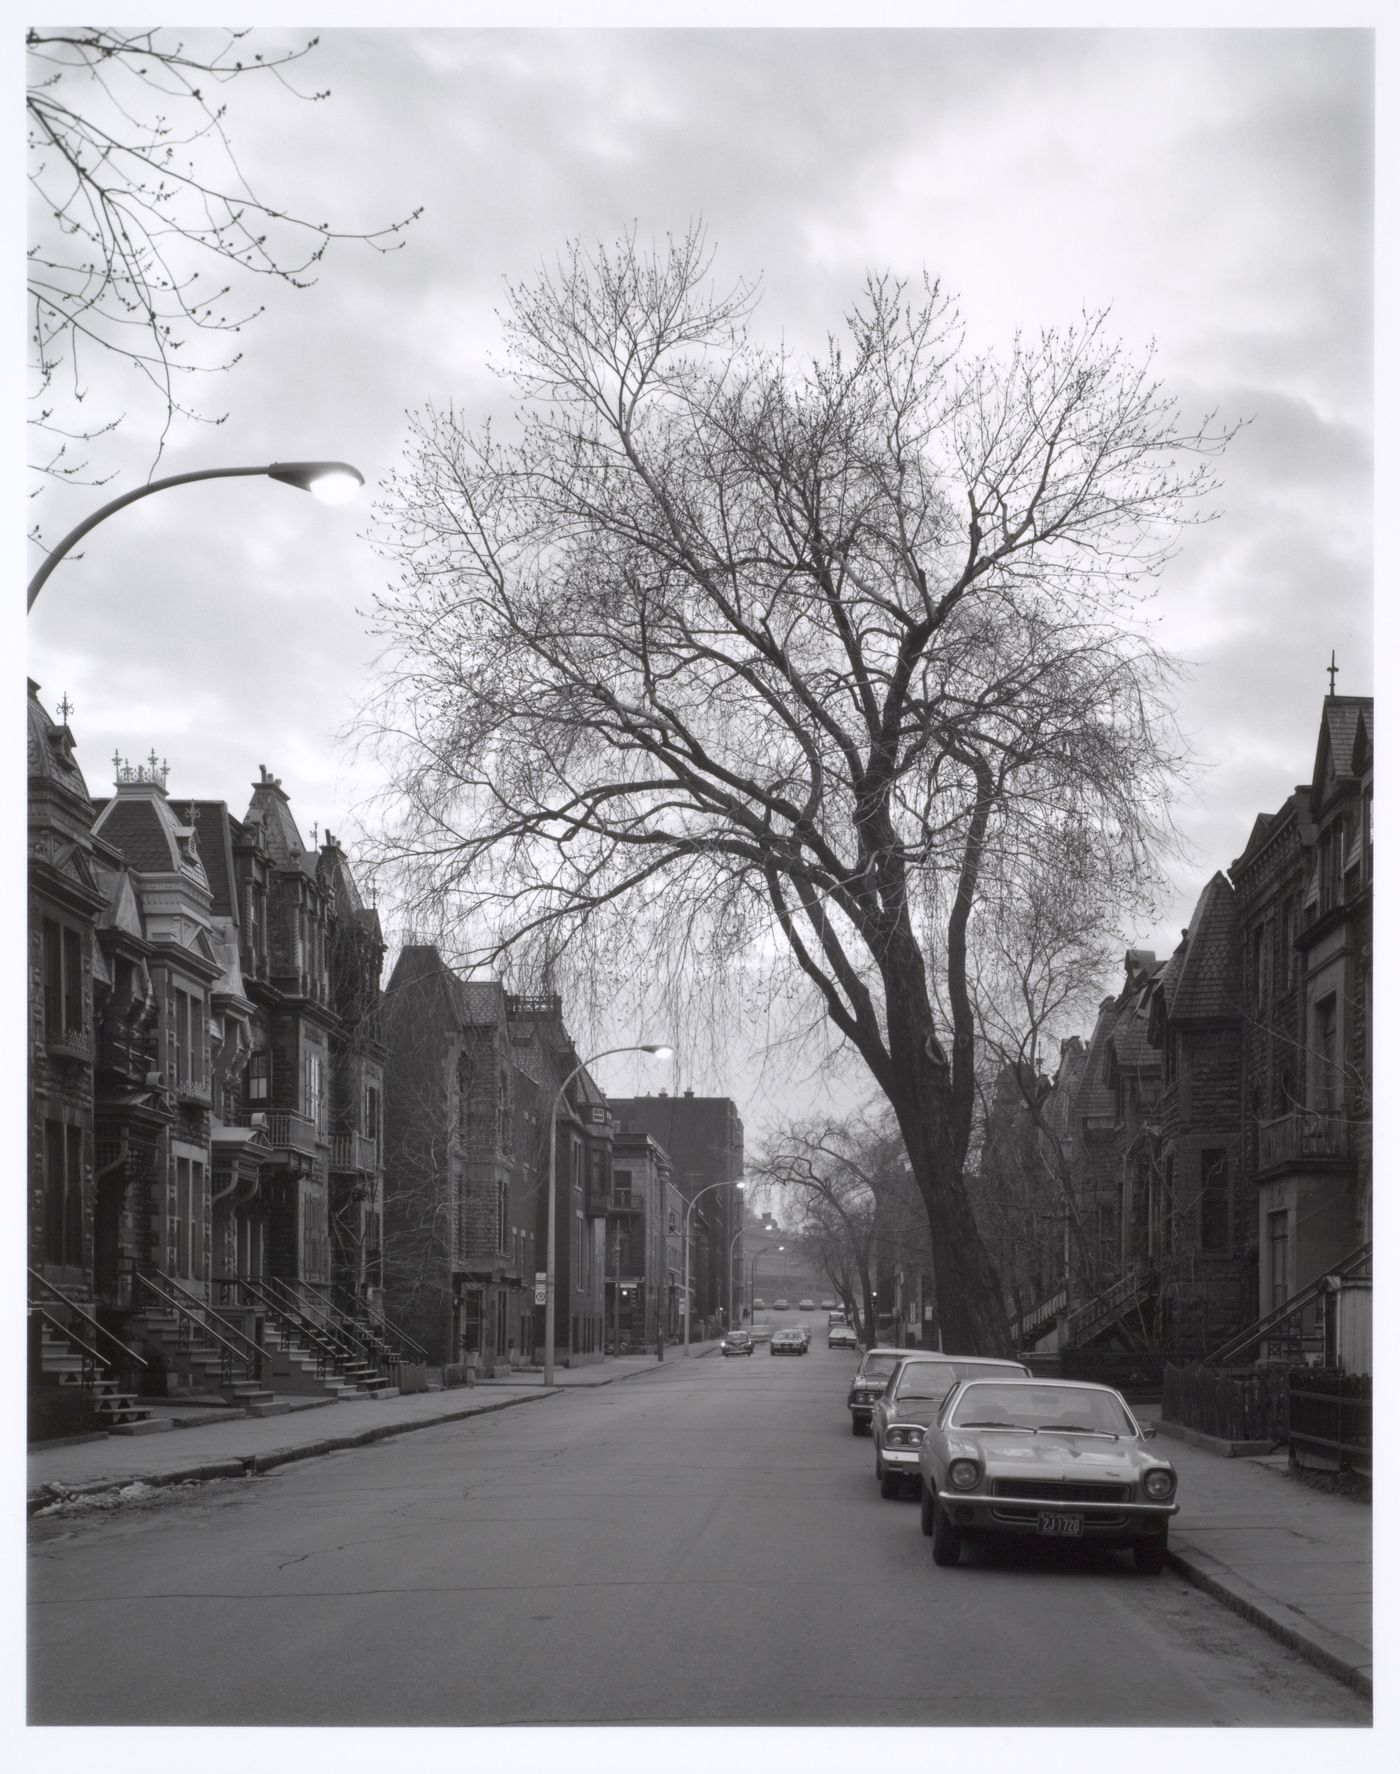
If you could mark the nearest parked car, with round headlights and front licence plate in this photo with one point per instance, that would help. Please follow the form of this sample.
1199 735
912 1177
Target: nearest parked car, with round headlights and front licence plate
1044 1459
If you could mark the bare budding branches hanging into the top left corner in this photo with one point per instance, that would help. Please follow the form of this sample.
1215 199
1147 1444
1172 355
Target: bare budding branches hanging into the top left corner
138 196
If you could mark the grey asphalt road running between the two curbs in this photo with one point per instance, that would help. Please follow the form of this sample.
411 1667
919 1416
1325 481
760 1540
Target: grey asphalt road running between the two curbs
700 1544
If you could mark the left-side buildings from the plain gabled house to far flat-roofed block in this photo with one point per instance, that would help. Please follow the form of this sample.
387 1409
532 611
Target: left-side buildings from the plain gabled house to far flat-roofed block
473 1076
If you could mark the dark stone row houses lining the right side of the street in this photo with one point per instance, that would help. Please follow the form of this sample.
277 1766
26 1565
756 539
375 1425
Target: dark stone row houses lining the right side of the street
1207 1150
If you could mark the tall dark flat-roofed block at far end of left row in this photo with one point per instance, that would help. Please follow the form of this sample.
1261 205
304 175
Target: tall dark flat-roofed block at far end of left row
704 1138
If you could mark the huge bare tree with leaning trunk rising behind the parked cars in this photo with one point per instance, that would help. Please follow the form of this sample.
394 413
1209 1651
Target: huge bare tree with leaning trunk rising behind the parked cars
764 664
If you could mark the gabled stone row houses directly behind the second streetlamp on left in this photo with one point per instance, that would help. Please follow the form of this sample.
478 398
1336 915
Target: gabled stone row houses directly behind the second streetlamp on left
475 1076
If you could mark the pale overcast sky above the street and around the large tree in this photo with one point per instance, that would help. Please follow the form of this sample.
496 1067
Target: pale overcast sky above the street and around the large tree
1213 187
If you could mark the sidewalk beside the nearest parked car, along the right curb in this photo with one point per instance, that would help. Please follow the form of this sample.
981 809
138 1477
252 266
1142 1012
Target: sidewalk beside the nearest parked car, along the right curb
1296 1562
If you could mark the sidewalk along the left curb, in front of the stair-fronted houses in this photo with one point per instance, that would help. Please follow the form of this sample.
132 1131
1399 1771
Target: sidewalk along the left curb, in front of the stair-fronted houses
232 1445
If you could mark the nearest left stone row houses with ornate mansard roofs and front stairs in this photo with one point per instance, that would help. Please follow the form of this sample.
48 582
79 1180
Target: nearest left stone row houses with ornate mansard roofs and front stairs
205 1088
